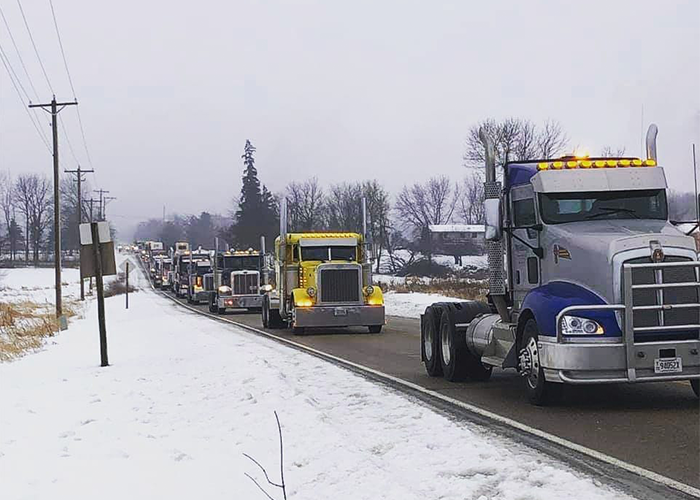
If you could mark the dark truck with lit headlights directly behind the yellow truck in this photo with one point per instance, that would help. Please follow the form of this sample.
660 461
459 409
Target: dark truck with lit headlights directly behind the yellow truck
235 281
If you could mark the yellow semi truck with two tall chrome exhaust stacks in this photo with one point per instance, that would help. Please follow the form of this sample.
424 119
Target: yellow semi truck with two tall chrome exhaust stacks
322 280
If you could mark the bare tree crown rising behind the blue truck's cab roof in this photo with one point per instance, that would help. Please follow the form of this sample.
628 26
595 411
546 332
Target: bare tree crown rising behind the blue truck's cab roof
514 139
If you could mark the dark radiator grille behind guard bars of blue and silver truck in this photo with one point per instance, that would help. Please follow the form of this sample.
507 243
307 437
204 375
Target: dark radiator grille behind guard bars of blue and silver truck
667 296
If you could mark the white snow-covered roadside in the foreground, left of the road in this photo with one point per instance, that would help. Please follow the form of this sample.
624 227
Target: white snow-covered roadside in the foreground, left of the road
185 397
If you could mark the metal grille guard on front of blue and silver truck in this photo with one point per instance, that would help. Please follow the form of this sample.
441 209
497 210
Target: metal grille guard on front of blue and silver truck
659 304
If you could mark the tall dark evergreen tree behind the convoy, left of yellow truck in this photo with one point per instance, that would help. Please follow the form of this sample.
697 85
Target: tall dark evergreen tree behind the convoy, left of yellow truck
257 212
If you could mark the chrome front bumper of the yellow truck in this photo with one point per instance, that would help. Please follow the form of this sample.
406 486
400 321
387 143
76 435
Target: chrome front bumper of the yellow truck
335 316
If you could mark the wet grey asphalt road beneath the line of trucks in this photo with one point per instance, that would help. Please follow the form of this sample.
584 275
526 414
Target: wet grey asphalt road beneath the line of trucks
655 426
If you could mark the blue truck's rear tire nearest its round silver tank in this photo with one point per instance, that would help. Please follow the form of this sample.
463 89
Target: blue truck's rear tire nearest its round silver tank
457 362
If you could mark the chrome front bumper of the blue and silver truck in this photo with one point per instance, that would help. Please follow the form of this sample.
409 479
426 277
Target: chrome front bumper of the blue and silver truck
596 363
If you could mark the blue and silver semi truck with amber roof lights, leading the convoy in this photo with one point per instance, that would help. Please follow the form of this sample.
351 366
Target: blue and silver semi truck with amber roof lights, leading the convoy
589 282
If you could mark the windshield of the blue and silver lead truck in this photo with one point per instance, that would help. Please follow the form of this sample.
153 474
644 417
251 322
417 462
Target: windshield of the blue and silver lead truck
559 208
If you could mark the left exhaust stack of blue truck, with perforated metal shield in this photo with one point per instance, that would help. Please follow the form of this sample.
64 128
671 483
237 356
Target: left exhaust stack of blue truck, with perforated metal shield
495 250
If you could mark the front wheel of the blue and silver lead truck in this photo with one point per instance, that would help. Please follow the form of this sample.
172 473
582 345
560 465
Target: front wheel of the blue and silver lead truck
539 391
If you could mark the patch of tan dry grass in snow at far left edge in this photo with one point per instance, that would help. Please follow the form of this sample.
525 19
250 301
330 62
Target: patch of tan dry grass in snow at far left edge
25 325
